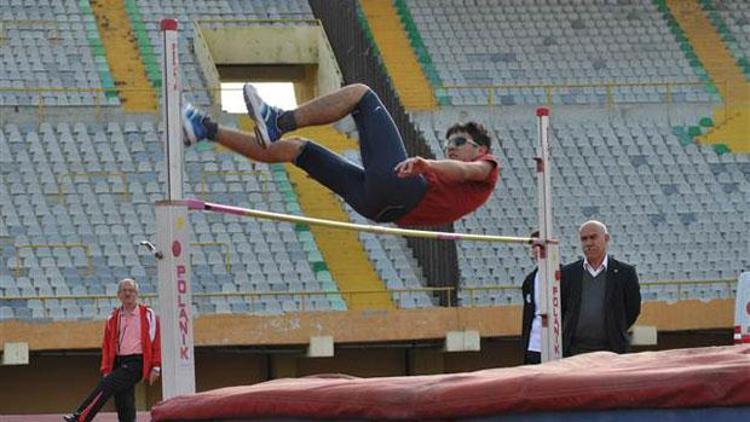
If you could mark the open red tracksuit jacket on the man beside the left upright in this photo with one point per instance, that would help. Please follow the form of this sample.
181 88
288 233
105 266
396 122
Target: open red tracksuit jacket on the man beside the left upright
150 339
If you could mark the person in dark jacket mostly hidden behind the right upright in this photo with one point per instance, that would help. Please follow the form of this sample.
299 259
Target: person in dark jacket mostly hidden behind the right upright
531 334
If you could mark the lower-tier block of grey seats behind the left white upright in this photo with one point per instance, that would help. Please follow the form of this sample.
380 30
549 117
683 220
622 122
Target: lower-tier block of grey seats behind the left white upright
91 187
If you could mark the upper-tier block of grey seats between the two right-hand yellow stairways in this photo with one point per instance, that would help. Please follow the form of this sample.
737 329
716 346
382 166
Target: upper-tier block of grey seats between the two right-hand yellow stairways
539 43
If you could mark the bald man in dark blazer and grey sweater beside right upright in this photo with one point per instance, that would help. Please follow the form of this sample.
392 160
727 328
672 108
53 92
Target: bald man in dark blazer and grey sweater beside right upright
601 297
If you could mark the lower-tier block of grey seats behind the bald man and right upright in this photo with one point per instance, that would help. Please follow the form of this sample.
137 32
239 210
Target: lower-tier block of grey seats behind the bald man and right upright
675 211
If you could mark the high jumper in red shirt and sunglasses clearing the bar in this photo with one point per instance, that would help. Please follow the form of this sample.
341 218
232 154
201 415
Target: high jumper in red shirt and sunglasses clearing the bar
389 187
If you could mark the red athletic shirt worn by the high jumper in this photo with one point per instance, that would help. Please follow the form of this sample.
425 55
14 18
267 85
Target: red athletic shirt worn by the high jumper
446 201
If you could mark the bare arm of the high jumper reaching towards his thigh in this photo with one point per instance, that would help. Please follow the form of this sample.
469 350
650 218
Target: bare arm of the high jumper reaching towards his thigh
450 170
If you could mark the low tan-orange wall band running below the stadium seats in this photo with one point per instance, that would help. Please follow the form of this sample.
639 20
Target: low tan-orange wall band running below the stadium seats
360 326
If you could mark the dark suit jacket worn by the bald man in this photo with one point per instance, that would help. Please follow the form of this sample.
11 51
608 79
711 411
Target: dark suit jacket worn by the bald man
622 303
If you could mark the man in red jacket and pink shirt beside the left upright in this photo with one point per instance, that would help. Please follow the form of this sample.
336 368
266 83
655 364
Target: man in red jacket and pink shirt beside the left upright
131 351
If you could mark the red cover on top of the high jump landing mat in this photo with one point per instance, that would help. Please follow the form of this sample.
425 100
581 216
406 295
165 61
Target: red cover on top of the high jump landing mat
713 376
